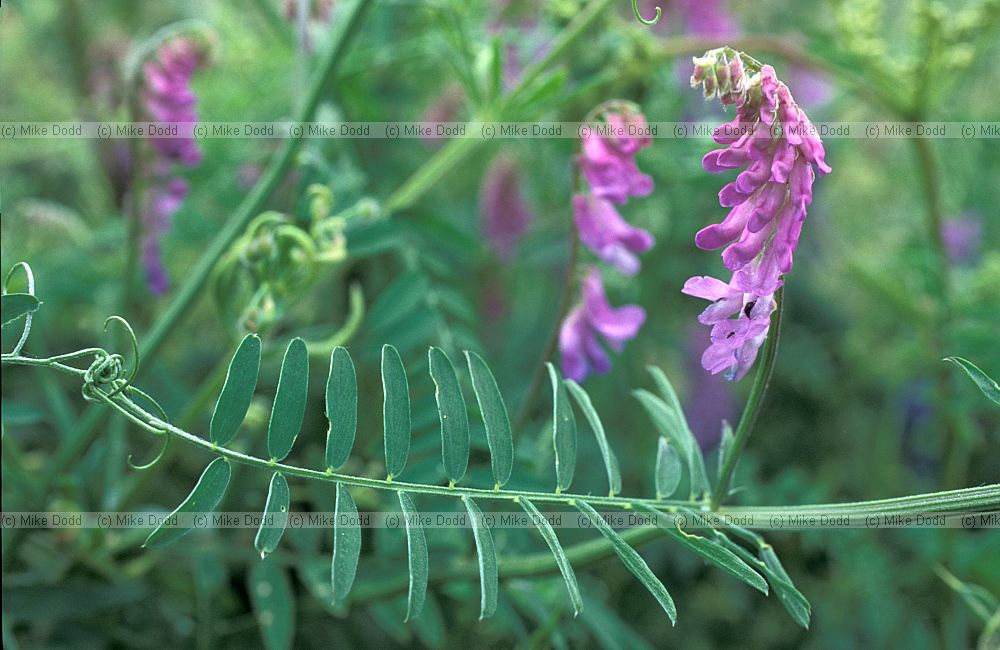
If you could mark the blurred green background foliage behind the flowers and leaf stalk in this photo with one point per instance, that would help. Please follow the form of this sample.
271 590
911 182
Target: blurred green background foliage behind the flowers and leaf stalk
861 405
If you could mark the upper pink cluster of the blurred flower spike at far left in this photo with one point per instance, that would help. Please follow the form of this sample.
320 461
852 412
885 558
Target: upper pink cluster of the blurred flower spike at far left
168 97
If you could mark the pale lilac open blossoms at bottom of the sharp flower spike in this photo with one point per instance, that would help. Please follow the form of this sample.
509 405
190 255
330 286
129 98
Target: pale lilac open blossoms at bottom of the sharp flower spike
740 322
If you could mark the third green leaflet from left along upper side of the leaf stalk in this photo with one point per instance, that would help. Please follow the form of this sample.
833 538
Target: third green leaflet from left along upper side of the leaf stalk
341 408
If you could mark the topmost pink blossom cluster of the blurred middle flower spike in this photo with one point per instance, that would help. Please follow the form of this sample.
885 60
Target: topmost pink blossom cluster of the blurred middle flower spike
608 156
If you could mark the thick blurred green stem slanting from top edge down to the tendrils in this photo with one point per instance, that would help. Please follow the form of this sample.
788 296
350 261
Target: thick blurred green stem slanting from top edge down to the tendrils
252 204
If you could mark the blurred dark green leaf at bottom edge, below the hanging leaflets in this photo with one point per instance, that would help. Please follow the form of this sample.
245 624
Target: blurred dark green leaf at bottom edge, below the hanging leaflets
273 604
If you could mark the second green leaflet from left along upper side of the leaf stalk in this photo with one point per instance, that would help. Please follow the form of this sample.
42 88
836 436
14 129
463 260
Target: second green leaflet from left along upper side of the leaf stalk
290 401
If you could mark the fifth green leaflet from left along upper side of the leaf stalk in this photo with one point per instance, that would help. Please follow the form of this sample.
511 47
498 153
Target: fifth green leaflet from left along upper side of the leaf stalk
453 414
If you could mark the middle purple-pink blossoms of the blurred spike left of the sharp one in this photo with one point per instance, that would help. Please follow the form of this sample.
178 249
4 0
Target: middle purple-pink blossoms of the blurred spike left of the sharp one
608 235
